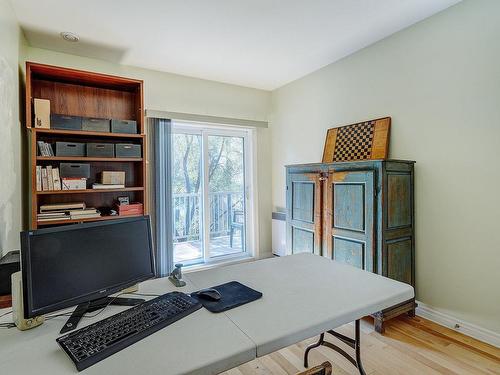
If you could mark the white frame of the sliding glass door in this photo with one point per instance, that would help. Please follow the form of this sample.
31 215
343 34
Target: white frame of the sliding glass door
251 193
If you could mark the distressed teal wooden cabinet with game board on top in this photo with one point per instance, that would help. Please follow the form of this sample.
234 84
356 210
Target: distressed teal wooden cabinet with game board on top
360 213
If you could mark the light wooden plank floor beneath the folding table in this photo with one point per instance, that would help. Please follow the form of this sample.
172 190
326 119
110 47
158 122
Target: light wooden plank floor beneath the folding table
409 346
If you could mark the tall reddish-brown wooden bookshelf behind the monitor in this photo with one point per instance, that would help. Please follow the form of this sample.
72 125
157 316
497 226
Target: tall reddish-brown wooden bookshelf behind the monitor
87 94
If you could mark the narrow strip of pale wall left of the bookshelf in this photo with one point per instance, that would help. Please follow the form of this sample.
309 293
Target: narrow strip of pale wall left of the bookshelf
10 131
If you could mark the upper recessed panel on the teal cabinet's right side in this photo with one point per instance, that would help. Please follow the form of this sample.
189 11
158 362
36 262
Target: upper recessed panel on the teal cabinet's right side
399 205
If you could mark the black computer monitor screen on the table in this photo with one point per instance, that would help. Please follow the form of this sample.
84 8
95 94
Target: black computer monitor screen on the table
69 265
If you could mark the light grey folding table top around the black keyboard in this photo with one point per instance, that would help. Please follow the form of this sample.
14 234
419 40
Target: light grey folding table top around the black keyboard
303 295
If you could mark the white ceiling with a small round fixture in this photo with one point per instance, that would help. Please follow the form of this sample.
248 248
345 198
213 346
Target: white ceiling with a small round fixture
256 43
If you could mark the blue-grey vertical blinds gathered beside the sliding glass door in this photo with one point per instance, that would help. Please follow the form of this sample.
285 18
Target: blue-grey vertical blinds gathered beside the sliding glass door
160 133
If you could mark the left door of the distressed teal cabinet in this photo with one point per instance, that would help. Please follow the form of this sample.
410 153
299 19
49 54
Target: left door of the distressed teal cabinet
303 213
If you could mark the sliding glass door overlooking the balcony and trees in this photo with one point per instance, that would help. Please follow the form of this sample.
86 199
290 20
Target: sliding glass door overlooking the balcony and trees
211 201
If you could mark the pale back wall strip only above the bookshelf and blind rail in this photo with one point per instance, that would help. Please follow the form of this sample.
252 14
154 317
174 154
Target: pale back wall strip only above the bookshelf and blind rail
171 92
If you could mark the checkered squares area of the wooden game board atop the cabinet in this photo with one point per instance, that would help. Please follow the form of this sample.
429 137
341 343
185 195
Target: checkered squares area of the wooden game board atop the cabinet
354 142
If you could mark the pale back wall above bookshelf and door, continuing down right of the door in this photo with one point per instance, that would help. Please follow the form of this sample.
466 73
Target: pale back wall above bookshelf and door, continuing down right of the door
174 93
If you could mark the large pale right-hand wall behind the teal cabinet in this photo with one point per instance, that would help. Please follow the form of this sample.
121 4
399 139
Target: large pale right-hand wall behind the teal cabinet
440 82
